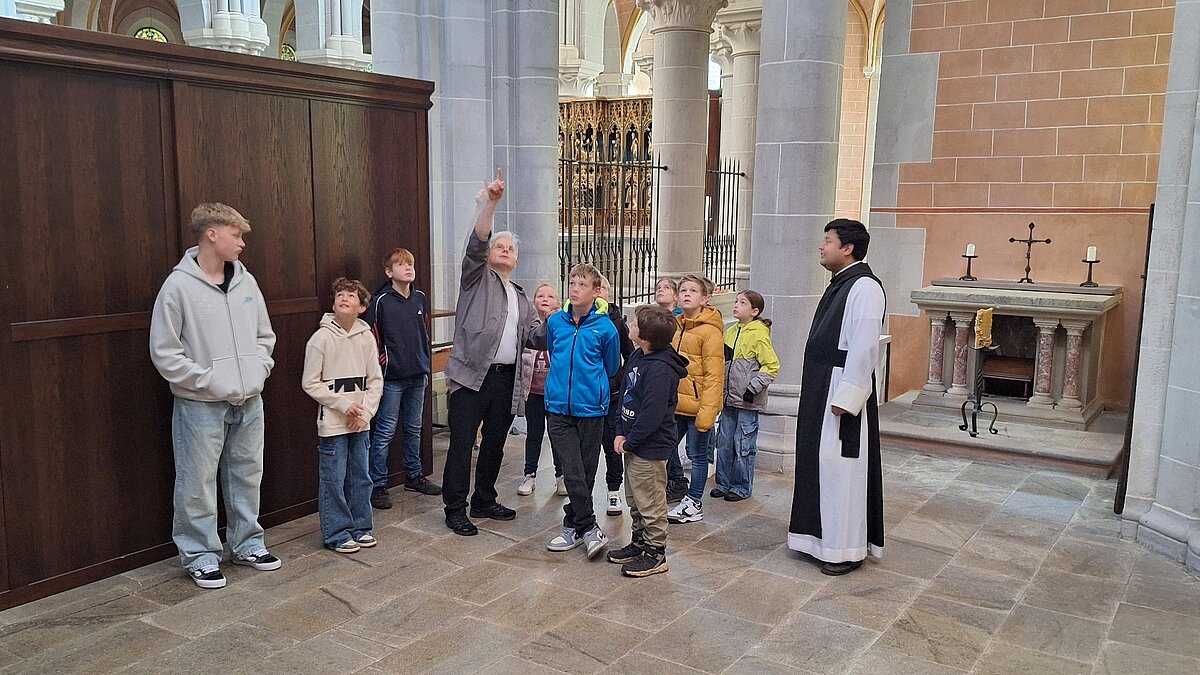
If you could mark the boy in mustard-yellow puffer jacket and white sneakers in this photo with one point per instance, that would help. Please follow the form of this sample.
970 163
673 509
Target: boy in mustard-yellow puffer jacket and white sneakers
699 341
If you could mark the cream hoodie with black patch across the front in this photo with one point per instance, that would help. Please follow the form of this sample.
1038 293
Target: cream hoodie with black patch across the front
341 368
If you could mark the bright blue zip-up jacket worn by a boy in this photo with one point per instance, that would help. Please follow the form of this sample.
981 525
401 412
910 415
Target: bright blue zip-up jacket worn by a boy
583 357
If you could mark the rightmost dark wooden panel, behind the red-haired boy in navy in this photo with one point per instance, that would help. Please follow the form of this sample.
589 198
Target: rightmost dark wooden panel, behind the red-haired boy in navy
369 199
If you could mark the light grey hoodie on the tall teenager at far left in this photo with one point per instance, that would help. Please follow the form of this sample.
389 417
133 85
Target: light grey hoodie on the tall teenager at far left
208 344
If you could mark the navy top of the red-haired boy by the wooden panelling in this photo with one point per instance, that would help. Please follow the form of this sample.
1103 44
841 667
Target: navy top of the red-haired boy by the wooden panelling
401 333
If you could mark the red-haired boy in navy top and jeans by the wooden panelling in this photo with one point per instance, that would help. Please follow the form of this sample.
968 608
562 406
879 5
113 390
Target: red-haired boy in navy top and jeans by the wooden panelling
399 318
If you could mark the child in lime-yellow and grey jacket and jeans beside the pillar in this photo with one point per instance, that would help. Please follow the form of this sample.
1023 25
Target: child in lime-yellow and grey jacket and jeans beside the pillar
753 366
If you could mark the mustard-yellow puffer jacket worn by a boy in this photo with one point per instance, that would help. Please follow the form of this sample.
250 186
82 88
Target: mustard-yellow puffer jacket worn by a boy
700 342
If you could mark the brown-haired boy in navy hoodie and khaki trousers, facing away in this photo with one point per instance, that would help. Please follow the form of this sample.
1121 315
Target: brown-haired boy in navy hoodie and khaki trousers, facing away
646 437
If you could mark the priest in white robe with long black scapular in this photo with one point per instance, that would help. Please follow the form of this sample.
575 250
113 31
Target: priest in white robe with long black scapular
838 505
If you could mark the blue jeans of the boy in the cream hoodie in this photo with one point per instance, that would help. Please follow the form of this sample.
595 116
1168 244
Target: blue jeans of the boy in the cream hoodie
345 493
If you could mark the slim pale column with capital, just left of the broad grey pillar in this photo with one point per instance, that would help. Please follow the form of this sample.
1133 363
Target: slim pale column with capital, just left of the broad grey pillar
742 26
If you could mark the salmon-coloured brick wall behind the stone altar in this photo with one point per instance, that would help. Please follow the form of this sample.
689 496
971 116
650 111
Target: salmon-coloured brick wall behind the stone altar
1047 111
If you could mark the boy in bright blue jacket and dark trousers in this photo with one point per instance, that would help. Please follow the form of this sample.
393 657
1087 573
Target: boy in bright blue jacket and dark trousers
585 353
